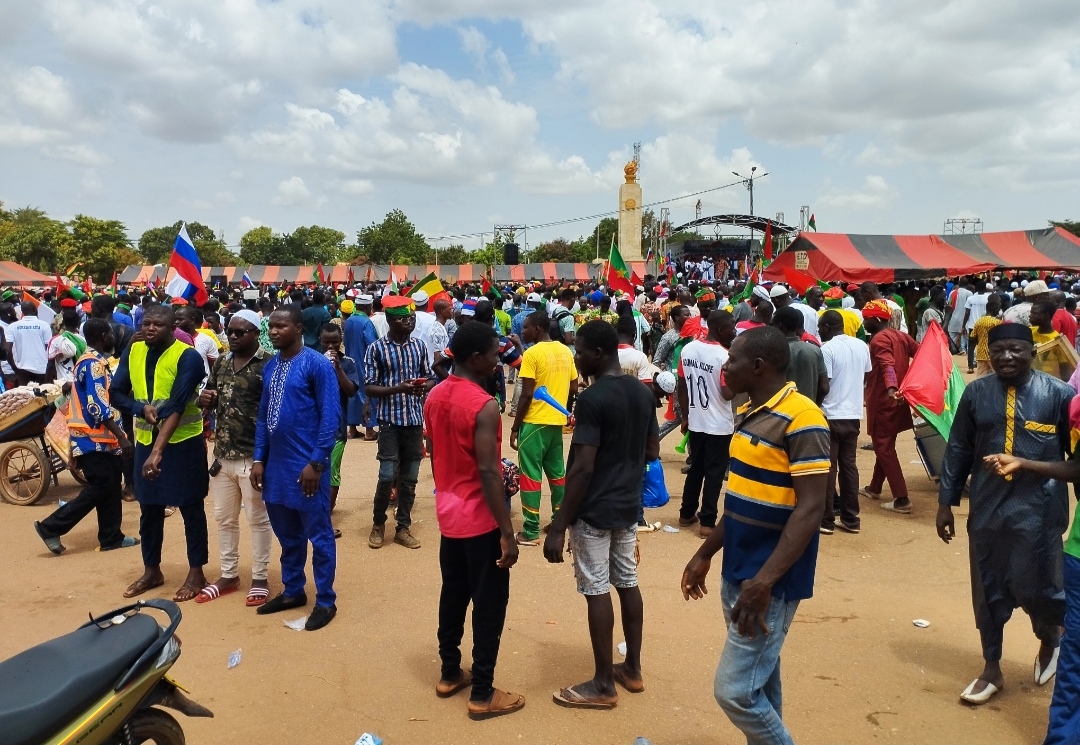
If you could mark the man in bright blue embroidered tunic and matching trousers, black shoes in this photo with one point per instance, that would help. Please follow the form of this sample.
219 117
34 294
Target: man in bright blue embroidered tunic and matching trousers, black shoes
299 417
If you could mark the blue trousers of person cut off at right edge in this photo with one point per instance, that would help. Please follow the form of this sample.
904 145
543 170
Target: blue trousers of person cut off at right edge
1064 727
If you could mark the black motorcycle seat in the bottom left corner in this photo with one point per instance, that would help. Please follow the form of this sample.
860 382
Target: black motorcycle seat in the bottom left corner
47 687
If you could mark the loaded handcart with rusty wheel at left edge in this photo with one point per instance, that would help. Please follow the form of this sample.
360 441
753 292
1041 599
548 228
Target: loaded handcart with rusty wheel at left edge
34 456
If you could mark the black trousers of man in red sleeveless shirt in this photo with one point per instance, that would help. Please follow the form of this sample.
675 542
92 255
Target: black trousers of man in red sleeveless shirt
469 574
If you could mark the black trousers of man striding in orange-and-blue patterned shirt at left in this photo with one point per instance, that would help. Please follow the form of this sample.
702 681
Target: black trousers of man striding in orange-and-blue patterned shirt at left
103 473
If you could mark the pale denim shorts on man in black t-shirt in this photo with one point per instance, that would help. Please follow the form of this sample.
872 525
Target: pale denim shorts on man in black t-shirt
603 559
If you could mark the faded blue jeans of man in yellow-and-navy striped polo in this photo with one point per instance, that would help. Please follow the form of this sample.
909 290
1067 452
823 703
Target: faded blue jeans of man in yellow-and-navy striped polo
748 680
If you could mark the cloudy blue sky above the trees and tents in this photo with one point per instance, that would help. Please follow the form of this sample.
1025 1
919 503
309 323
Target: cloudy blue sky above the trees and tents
881 116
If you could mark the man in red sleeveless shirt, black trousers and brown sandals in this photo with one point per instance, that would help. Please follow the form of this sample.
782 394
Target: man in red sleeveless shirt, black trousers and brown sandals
478 546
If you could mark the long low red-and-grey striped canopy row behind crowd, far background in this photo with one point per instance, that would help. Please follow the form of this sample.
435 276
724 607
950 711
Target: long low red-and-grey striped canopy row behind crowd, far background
340 274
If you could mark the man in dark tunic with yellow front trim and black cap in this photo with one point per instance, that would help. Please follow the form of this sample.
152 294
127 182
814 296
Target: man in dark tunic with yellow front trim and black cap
1015 522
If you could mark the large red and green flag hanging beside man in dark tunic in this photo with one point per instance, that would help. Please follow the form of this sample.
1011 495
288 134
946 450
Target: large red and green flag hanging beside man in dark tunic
934 385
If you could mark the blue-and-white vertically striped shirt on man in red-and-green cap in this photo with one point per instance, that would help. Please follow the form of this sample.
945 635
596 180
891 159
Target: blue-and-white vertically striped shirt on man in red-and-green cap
389 364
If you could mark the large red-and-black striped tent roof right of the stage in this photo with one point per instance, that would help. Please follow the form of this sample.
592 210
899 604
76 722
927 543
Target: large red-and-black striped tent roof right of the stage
897 259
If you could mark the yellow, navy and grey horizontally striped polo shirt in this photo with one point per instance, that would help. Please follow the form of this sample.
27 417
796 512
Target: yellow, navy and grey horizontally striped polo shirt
786 438
